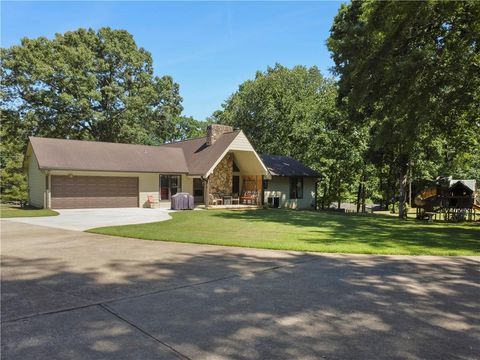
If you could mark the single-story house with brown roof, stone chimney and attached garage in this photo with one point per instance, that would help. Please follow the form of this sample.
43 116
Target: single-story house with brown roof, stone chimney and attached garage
89 174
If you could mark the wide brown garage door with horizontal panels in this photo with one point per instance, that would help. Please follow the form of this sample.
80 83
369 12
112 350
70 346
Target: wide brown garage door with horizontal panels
79 192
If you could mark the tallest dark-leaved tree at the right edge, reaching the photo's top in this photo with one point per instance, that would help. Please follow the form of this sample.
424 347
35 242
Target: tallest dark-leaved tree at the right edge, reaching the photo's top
410 70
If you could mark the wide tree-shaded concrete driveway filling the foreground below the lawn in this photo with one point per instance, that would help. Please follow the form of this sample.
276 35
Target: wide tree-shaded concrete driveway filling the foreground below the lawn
72 295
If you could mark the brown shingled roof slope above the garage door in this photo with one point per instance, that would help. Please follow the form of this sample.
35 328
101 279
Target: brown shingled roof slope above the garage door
59 154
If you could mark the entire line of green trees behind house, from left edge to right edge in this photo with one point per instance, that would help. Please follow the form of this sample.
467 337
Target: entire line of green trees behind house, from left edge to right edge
402 107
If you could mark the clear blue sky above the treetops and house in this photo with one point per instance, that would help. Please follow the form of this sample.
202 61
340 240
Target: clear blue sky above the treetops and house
208 47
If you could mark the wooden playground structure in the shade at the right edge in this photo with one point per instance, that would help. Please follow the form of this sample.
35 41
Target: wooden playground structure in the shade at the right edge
450 200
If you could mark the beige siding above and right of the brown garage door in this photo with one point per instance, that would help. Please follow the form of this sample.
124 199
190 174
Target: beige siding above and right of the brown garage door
148 183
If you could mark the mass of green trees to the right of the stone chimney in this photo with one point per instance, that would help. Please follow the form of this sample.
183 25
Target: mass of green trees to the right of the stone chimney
405 107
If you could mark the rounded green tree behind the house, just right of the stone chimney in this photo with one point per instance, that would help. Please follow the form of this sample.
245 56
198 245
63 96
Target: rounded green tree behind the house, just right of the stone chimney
293 112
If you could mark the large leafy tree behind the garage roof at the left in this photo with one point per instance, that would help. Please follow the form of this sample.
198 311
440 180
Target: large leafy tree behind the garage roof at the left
83 84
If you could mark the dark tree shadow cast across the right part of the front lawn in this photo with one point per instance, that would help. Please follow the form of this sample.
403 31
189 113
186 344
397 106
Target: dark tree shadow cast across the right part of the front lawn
374 230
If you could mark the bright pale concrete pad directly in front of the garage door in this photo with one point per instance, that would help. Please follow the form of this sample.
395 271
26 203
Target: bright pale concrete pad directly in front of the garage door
84 219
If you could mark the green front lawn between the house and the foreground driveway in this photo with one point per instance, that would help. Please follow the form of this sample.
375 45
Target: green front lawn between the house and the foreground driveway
309 231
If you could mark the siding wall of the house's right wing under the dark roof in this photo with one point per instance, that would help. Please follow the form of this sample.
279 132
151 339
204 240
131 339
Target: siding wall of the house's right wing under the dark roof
280 187
